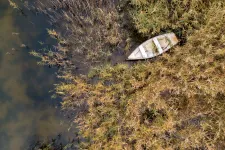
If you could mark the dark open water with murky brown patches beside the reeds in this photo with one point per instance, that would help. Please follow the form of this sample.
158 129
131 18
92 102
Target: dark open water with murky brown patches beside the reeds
27 112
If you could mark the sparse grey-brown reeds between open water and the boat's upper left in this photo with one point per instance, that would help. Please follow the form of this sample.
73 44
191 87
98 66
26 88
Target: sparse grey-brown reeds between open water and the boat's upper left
87 28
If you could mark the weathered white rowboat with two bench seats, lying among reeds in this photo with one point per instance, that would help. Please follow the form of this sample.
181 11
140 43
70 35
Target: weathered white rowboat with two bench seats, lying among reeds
154 47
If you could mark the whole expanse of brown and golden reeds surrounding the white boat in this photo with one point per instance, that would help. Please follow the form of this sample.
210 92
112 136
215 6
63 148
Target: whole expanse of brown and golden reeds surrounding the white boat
175 101
